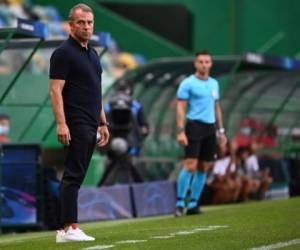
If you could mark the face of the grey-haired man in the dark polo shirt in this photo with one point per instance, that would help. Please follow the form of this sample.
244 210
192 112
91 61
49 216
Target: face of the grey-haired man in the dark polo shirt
82 25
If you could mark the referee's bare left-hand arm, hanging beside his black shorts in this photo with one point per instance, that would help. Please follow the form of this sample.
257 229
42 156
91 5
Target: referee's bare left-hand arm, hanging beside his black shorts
180 119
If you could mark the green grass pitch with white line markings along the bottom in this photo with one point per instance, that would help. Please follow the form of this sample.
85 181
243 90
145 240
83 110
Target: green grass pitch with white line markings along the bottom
242 226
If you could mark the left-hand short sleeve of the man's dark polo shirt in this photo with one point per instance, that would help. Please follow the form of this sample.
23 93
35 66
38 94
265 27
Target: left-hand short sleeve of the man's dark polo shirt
59 65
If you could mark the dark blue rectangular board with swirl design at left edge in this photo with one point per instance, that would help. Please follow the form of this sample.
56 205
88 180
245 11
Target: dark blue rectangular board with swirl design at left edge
20 186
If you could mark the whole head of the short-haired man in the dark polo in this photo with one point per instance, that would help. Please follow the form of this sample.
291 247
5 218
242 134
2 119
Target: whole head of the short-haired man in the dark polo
81 20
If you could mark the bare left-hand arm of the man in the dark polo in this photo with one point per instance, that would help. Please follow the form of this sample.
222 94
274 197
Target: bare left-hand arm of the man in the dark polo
62 130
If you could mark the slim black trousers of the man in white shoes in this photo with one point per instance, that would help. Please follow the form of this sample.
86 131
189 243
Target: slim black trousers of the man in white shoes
77 158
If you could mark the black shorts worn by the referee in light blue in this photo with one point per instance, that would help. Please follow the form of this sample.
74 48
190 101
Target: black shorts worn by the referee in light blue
202 141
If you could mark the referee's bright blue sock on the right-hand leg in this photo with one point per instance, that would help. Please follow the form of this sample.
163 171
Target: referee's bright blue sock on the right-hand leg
197 186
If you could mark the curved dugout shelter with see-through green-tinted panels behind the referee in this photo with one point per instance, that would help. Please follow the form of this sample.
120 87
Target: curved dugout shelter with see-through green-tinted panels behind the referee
262 88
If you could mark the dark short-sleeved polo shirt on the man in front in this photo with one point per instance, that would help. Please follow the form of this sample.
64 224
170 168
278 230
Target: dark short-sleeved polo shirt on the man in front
81 70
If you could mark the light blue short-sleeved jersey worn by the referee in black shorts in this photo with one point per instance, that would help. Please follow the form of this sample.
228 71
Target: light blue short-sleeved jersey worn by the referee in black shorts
201 96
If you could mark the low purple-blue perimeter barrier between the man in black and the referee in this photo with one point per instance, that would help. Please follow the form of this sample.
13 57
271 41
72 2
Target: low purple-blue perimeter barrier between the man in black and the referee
126 201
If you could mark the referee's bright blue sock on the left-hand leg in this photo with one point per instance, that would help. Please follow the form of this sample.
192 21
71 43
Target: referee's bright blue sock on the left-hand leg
183 183
